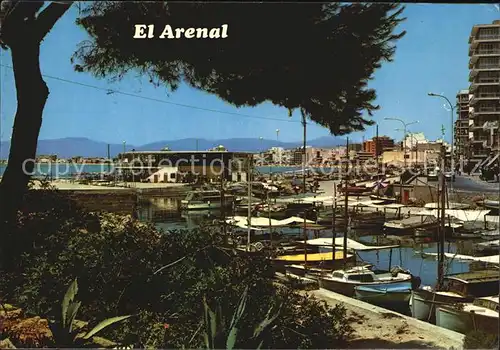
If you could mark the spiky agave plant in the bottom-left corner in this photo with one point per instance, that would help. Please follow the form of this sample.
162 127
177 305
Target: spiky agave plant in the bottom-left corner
64 331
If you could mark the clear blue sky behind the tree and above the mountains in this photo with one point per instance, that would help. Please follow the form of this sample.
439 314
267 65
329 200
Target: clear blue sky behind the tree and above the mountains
433 56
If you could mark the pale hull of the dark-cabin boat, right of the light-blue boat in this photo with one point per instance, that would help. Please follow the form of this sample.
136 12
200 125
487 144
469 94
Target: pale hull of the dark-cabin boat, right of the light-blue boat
423 303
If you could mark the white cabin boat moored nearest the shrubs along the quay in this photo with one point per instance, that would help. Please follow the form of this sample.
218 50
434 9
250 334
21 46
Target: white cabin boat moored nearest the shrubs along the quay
345 281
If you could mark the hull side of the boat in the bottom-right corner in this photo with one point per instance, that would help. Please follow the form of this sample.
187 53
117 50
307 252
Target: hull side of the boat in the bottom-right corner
463 321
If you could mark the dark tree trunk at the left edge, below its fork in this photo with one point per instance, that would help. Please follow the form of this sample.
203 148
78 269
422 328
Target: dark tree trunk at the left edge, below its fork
32 93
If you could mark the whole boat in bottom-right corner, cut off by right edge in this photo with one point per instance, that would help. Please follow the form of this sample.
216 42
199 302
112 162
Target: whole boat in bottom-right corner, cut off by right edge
481 314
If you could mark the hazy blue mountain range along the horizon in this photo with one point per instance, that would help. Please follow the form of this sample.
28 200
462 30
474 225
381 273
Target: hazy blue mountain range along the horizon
84 147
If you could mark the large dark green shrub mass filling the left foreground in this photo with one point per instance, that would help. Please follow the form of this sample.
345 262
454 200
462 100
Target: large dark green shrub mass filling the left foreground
120 265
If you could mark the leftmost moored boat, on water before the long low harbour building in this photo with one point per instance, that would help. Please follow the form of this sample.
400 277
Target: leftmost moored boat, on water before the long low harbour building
207 199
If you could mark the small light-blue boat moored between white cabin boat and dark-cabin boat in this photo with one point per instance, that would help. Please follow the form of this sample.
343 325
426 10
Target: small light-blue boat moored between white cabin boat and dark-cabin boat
394 293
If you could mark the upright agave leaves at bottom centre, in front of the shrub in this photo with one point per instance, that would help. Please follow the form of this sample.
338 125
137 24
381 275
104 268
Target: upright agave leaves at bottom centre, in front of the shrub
218 336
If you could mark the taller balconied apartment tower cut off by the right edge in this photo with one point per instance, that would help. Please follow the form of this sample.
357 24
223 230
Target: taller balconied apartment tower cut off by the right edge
484 65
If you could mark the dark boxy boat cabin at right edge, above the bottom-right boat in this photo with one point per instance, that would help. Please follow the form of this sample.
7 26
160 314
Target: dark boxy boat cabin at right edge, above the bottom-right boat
473 284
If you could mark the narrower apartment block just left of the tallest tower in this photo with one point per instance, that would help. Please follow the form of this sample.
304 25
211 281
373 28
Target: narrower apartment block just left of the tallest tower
462 146
